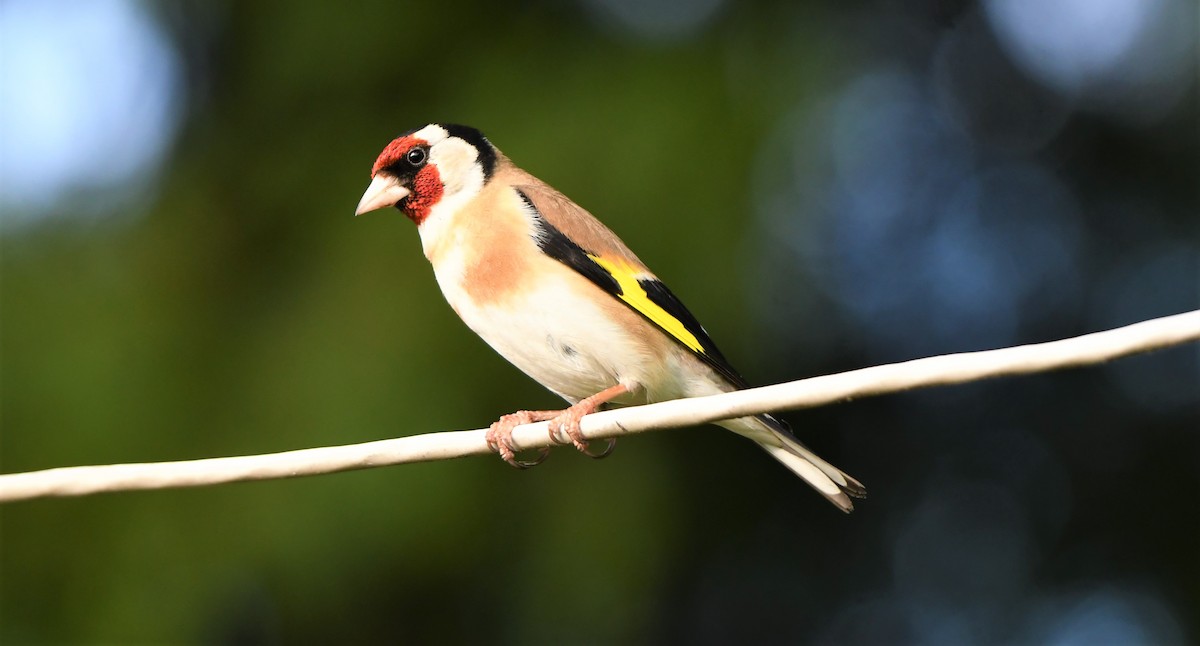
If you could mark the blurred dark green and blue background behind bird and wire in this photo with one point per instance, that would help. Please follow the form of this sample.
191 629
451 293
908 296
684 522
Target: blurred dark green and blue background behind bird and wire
826 187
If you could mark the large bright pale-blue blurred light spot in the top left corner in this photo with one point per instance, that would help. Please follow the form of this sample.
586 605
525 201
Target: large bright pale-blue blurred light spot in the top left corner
91 103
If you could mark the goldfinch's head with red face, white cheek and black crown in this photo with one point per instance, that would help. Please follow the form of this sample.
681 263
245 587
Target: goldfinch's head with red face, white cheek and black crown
433 168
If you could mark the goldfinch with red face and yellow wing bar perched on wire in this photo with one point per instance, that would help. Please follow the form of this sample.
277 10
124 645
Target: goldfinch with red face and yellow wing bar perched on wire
561 297
